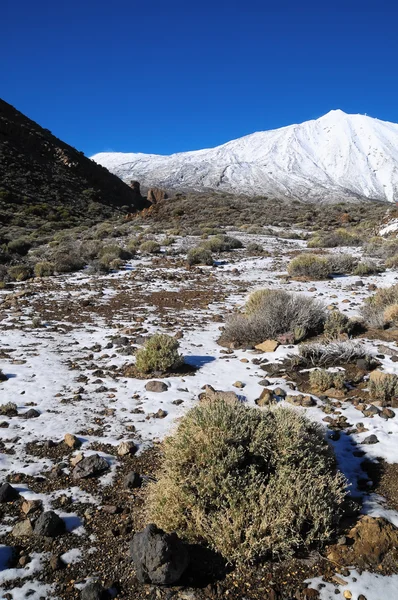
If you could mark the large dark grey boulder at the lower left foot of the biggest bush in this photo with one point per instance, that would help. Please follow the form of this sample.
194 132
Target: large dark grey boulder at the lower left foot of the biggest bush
160 558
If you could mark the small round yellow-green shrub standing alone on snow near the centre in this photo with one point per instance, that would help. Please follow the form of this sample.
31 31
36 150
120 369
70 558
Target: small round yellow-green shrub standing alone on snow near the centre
160 353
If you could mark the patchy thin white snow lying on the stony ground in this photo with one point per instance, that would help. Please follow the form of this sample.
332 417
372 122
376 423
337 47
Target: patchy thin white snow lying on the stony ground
47 381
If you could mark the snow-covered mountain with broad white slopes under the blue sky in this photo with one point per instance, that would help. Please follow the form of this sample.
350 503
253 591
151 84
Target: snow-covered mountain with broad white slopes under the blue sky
337 156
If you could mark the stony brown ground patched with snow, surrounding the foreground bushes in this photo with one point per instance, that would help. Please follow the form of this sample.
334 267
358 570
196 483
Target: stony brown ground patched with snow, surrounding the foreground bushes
80 433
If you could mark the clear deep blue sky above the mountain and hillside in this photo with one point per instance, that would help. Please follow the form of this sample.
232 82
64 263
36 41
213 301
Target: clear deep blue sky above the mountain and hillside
168 76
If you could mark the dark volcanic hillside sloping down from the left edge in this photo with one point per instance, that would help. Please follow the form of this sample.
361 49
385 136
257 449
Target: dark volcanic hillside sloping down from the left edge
47 183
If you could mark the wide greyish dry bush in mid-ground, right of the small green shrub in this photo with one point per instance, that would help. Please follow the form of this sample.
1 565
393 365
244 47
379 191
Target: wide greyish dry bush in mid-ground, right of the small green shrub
271 313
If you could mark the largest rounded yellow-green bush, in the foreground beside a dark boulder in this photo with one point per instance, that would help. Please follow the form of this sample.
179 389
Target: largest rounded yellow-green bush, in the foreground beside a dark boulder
248 483
